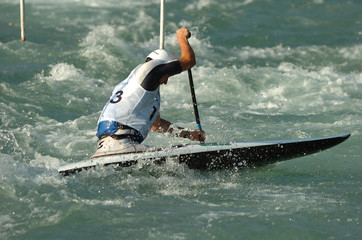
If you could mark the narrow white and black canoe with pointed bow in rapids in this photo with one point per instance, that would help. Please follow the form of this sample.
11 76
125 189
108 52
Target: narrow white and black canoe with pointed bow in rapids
213 156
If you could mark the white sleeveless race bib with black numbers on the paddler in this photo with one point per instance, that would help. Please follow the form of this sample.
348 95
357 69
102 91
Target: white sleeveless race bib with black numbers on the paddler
132 105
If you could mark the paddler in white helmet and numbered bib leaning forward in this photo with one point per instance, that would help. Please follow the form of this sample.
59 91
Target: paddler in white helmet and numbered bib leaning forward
133 108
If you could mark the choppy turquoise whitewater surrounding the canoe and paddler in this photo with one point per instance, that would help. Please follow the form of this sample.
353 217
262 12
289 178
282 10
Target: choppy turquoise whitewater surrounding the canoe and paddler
266 69
